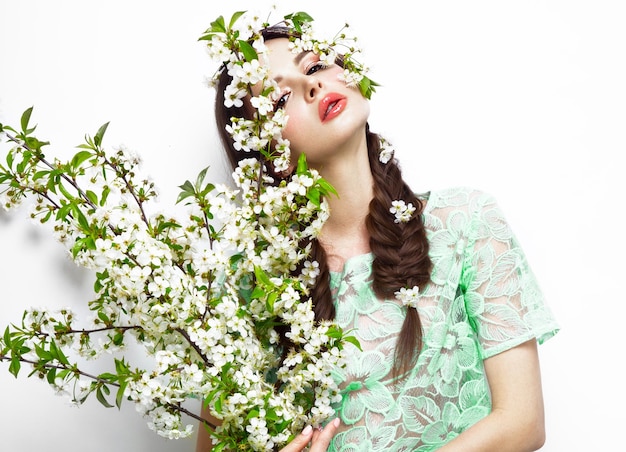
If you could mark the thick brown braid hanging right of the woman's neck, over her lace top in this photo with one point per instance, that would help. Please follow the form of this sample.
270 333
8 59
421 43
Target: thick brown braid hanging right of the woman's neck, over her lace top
400 249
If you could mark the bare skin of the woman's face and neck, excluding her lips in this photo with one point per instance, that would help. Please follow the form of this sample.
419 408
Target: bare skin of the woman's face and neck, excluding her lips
337 147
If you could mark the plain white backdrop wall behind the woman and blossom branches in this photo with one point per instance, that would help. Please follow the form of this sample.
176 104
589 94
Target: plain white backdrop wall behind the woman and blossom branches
523 99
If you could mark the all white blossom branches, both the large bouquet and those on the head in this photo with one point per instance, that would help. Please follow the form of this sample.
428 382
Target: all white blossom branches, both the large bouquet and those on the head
204 293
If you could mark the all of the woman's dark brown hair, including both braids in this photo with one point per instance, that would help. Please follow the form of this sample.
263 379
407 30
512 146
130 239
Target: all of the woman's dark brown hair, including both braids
400 249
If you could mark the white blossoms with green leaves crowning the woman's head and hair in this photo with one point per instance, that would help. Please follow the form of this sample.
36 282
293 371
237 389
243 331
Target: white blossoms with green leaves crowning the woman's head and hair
238 47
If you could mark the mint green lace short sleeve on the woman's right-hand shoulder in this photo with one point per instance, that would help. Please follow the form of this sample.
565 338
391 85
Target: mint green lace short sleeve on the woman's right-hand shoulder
504 302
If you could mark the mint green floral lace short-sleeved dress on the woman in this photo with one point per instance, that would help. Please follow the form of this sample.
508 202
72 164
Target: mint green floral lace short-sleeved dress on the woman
482 300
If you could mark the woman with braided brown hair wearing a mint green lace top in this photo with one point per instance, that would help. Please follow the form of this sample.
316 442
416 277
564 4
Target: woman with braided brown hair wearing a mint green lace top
438 291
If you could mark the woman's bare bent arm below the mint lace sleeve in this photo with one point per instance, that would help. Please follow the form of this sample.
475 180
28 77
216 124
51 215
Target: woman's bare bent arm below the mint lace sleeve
516 422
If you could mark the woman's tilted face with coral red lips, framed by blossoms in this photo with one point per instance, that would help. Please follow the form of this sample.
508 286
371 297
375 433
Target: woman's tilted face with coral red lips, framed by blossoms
325 115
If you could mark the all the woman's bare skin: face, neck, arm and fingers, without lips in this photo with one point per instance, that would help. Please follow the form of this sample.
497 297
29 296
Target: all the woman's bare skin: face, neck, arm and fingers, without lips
337 149
